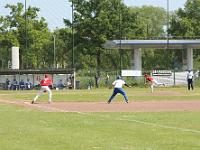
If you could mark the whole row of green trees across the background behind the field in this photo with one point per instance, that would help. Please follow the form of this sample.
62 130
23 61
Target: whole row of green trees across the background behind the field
79 44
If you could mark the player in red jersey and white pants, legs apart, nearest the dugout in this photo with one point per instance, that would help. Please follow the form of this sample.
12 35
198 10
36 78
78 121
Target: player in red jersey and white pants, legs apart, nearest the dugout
44 83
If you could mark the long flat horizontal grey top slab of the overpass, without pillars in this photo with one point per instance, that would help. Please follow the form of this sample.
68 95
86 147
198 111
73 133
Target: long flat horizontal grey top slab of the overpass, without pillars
157 44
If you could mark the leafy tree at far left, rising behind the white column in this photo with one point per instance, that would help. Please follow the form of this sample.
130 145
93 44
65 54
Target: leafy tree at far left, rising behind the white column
27 31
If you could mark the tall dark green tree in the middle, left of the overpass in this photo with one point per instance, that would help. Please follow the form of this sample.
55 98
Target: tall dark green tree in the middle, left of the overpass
95 22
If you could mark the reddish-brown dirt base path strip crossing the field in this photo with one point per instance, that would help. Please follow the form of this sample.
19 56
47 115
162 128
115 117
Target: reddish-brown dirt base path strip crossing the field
152 106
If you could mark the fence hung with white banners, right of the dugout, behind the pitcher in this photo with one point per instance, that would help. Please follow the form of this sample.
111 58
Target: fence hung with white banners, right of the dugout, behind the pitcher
169 77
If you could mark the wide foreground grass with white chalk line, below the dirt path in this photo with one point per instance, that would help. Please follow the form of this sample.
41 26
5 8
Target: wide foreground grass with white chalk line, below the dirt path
22 129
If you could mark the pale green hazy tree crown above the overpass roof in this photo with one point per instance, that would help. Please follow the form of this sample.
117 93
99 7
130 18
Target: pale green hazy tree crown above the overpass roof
150 21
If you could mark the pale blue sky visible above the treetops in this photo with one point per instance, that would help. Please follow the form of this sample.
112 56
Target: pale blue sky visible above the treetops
55 10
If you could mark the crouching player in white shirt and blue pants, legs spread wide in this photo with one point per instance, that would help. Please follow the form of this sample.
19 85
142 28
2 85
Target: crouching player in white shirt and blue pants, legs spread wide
118 89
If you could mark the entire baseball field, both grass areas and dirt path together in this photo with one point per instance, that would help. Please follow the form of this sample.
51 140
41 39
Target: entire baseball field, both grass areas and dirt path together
167 119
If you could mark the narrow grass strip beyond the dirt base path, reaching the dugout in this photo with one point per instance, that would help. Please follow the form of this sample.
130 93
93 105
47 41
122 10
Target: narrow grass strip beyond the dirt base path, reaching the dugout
134 94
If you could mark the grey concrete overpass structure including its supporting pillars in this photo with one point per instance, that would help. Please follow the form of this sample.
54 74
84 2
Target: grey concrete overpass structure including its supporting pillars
137 45
